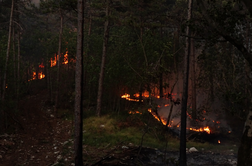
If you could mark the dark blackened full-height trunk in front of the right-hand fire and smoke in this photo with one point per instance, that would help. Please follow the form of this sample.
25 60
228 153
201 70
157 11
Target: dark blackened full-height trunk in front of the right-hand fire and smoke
182 157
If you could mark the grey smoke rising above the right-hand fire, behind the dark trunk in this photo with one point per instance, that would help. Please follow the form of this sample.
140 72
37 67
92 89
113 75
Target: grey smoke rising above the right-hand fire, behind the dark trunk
209 113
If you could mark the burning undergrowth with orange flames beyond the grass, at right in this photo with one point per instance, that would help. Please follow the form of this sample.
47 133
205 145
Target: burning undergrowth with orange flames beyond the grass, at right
207 126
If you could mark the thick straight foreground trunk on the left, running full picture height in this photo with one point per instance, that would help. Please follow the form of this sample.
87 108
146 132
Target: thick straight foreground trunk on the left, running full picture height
78 88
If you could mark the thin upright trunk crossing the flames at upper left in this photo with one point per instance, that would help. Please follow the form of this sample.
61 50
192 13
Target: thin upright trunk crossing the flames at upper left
58 62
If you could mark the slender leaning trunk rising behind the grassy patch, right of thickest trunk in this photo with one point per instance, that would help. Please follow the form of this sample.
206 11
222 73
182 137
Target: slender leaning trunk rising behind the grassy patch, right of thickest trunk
104 52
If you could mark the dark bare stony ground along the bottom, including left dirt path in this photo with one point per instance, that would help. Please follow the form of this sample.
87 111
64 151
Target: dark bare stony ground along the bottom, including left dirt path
44 139
